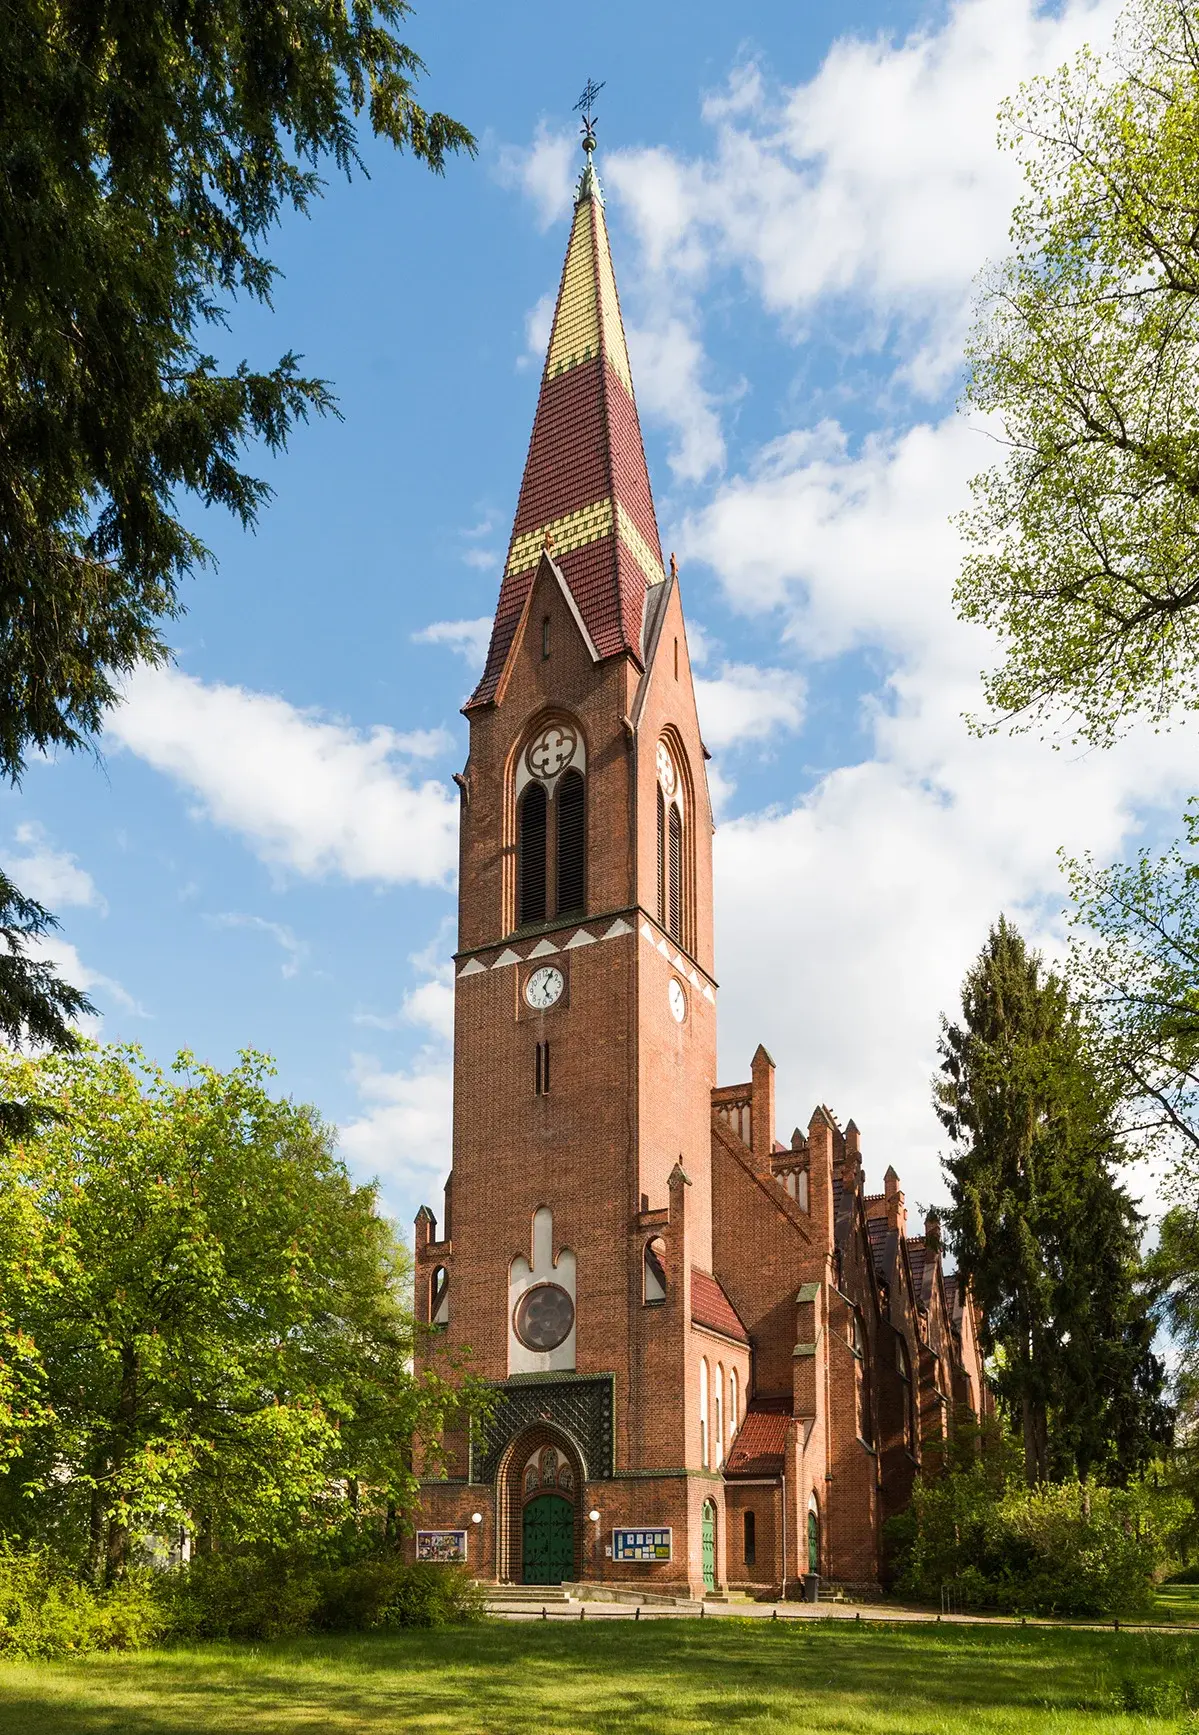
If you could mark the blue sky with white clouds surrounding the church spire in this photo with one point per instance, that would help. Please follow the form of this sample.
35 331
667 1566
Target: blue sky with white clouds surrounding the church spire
801 197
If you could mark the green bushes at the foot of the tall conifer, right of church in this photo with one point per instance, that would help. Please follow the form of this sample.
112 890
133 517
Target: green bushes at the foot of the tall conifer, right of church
1063 1550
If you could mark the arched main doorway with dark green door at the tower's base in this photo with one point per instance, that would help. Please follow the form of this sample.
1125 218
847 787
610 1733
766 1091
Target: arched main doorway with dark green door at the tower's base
541 1489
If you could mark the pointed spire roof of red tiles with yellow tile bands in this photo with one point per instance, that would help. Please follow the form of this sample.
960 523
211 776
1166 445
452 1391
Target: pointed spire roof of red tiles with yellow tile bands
586 495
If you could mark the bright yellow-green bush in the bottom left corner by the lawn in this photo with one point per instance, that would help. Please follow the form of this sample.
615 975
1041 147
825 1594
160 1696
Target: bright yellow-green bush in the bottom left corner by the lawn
46 1613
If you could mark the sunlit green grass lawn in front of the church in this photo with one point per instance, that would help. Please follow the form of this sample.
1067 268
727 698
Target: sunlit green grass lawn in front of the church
620 1679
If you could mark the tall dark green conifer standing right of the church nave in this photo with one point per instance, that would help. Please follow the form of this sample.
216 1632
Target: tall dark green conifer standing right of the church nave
1040 1228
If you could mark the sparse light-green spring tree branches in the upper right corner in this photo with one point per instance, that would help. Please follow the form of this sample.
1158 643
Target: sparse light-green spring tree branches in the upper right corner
1085 540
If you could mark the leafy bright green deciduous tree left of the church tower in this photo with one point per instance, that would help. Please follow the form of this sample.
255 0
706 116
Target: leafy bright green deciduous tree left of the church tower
211 1314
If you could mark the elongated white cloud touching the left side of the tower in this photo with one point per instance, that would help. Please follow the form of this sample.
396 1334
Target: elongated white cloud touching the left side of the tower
306 792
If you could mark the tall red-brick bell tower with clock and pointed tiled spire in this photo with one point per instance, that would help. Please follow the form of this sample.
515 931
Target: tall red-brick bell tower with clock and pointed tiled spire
577 1254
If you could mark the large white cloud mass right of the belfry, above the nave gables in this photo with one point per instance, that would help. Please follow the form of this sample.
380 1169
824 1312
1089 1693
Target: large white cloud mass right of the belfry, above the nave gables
879 886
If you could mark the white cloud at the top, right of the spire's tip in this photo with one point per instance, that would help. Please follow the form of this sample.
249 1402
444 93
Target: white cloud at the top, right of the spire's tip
877 181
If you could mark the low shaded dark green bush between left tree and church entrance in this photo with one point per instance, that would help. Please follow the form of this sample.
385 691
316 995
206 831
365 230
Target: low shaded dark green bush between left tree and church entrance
287 1594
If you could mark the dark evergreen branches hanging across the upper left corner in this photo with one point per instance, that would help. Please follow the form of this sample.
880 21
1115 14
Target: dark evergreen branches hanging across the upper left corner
147 152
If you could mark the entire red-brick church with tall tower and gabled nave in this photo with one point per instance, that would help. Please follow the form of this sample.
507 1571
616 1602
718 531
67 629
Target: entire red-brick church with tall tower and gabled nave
719 1359
